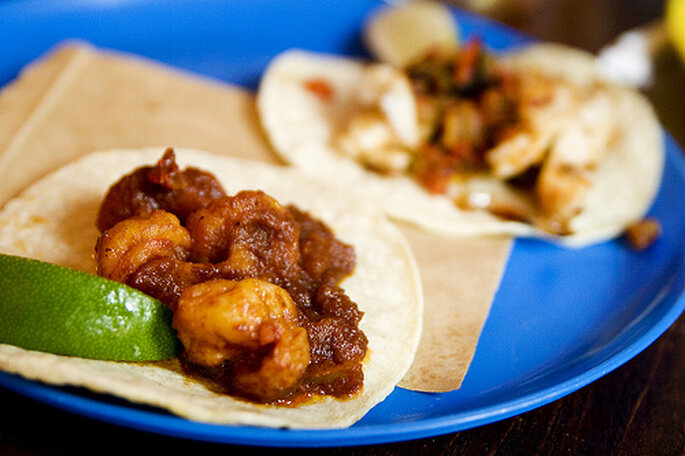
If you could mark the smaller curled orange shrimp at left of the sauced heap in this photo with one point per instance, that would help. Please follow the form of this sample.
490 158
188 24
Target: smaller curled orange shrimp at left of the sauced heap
122 249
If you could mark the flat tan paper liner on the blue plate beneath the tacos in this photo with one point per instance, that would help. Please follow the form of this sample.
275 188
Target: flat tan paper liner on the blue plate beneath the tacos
77 99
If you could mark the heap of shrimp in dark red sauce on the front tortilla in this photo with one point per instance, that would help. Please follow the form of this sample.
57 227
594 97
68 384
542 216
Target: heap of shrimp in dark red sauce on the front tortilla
254 285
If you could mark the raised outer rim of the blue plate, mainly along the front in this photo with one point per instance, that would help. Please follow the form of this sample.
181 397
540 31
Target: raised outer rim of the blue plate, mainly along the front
132 416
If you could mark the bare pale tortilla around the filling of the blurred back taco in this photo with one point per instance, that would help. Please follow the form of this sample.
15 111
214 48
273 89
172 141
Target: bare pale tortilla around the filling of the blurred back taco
301 126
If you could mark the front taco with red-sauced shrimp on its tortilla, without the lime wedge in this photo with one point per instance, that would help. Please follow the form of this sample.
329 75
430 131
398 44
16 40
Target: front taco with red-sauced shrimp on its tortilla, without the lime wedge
295 306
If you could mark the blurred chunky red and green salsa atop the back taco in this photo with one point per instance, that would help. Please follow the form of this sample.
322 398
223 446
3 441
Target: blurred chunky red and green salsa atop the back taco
466 105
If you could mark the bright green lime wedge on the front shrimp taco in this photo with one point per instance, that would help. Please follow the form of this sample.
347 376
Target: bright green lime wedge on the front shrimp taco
54 309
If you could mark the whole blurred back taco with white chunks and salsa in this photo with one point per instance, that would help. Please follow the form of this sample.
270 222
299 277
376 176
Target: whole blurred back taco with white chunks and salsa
530 143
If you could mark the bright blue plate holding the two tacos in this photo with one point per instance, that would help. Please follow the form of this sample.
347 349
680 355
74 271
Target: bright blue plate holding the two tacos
561 319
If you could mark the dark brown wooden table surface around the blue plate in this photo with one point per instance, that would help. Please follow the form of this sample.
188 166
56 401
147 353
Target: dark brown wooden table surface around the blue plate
638 409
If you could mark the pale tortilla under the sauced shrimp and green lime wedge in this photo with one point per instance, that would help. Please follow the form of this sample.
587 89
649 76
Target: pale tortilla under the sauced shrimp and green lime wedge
54 220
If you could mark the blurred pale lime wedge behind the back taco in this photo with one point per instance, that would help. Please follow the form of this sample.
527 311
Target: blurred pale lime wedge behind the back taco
398 34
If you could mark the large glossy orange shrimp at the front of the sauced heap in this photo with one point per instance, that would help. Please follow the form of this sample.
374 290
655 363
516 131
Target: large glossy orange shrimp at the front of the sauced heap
236 321
